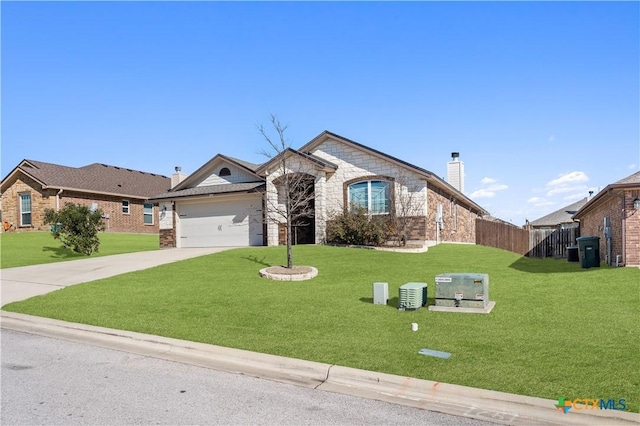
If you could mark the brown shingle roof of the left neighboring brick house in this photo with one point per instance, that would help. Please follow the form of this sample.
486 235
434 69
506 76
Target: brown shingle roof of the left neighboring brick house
94 178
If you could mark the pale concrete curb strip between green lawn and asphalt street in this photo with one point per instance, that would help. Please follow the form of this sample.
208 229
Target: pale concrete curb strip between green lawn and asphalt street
493 406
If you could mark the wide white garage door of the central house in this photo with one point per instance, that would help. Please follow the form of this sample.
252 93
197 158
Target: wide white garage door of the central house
221 223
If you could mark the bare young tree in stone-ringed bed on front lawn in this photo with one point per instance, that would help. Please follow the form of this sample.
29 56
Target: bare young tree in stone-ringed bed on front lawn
293 202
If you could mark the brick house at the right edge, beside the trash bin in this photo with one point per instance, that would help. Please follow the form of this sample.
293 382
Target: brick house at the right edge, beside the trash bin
618 206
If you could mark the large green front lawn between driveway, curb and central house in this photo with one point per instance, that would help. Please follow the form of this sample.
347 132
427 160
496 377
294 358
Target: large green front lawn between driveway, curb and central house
557 330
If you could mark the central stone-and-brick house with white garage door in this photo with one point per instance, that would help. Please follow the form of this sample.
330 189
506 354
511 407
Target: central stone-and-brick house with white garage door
224 203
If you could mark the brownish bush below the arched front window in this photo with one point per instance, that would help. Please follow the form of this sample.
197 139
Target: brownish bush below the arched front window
356 227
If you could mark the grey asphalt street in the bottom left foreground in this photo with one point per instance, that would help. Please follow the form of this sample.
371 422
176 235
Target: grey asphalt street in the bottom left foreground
56 382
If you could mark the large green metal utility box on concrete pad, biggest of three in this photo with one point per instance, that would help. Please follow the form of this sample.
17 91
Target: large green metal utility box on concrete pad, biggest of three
465 290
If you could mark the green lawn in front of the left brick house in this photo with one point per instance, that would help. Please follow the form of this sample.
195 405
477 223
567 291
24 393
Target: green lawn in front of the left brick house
33 248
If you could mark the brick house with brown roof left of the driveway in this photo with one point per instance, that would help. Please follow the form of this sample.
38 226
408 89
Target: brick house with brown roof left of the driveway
120 193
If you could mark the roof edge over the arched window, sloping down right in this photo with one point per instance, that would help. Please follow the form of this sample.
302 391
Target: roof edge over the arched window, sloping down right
432 178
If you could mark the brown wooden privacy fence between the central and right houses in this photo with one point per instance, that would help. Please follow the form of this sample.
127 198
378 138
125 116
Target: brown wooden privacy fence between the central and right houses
533 243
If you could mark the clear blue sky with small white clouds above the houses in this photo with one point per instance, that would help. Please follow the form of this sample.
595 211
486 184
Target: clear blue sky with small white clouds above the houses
541 99
